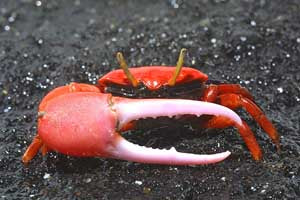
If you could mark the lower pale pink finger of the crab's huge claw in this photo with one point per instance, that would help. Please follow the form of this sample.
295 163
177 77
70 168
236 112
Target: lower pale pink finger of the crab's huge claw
126 150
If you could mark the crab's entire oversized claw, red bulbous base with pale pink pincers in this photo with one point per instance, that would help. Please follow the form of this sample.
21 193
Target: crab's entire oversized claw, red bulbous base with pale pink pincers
87 124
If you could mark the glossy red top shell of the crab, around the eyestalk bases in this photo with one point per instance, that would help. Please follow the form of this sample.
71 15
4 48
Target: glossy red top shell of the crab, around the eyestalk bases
152 77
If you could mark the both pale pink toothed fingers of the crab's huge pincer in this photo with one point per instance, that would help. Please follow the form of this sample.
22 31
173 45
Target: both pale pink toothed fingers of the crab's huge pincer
128 110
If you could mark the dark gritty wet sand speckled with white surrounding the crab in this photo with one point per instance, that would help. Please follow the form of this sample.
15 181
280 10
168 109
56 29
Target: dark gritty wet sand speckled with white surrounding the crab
45 44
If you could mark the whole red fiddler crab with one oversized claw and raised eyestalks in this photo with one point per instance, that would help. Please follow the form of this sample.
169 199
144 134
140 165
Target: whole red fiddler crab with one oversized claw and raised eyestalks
85 120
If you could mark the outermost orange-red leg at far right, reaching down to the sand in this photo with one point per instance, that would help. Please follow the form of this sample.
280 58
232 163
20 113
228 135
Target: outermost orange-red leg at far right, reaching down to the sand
235 101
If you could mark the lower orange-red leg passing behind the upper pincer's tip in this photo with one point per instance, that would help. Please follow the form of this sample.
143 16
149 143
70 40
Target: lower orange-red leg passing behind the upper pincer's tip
244 130
